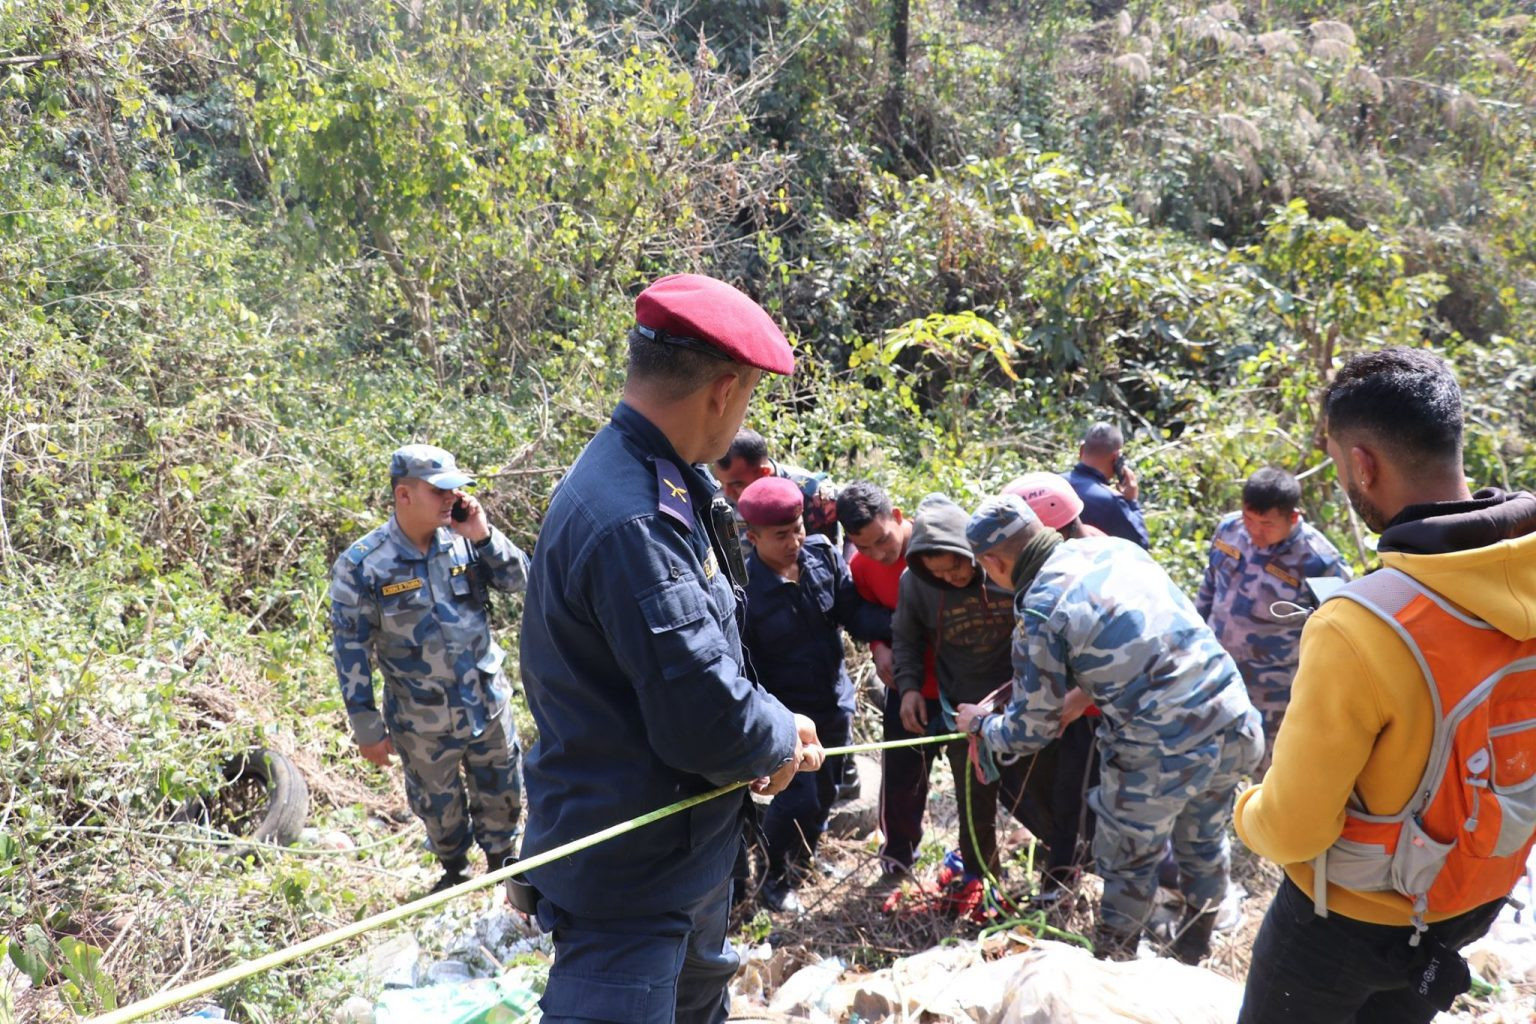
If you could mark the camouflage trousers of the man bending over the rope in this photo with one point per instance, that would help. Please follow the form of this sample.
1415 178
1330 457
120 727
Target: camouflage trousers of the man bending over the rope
1185 796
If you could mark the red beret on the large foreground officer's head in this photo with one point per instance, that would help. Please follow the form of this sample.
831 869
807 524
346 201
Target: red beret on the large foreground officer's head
690 308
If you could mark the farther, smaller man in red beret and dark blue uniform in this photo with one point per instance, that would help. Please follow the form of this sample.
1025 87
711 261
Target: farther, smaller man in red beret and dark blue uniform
799 601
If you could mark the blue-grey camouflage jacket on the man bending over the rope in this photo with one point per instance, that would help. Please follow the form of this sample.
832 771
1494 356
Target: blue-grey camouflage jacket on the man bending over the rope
1104 616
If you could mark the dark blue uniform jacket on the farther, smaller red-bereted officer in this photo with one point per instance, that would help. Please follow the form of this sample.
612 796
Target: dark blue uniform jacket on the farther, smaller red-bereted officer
793 632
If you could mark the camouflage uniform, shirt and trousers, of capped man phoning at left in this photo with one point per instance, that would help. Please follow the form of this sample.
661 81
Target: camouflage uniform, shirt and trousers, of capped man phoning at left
422 621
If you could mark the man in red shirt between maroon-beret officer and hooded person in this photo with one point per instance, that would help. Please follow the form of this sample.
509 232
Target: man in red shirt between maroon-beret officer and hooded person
881 533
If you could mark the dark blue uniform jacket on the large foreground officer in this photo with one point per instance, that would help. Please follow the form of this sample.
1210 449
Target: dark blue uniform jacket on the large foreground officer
634 670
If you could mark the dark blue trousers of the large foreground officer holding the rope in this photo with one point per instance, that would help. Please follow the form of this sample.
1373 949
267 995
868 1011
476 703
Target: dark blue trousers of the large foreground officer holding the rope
654 969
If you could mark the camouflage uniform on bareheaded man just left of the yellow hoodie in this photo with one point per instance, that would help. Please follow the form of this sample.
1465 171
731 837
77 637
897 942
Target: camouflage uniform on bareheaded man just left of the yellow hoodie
1237 595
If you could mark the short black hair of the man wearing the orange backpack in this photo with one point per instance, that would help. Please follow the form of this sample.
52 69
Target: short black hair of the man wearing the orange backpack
1406 400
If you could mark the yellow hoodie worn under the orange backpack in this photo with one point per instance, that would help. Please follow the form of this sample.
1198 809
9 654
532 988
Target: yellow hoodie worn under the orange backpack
1362 721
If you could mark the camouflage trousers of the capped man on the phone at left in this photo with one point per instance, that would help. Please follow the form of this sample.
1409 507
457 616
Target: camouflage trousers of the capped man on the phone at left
460 784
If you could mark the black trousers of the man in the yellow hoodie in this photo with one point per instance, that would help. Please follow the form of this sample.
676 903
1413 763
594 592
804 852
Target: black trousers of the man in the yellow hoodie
1340 971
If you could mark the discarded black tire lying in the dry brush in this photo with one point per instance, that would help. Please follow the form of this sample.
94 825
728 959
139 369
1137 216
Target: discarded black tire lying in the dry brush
265 798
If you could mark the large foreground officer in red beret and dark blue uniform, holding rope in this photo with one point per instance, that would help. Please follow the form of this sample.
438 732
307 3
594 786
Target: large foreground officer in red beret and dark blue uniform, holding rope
635 675
